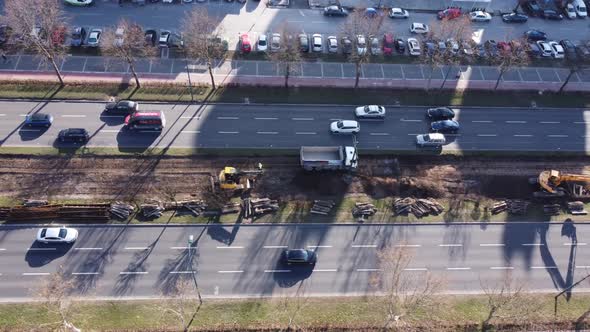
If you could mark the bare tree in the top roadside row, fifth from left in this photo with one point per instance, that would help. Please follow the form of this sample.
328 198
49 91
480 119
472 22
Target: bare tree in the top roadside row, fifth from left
358 24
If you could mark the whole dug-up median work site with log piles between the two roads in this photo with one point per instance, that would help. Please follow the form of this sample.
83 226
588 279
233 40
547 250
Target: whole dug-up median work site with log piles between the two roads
203 189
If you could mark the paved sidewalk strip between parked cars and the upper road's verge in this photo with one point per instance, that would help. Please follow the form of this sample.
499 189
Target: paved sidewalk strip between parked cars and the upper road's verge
316 74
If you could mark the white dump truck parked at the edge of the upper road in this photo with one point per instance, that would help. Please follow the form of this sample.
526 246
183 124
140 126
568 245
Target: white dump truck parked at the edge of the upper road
320 158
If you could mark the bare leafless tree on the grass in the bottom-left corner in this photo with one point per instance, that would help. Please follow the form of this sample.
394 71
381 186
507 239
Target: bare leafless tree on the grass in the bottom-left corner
54 292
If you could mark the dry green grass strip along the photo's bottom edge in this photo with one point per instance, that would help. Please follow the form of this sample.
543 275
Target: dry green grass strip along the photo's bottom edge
358 312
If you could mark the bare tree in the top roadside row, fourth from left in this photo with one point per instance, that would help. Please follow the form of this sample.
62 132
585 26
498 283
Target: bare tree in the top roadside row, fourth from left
288 56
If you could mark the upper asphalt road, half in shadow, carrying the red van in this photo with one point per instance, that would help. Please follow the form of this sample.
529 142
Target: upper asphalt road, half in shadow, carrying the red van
291 126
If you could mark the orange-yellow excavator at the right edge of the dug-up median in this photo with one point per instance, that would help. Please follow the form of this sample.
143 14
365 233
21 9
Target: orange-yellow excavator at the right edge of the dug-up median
558 184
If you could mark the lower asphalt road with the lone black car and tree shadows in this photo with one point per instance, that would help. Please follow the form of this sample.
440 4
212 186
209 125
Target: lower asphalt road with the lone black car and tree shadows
243 260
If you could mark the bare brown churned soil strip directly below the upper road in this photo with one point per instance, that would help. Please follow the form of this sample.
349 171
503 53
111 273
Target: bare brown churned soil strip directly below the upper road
138 178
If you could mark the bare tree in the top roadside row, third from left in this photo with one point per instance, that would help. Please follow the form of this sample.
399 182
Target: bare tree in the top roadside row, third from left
203 38
